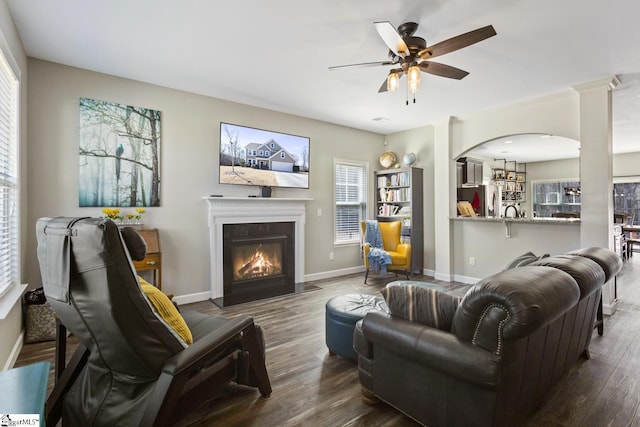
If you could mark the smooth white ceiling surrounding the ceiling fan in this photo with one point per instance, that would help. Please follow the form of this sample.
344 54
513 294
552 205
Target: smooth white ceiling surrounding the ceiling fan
275 54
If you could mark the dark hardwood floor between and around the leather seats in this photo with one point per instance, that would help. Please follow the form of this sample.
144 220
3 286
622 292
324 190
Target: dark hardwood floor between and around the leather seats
311 388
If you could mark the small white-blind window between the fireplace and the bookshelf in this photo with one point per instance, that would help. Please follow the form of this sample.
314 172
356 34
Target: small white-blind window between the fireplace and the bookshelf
351 199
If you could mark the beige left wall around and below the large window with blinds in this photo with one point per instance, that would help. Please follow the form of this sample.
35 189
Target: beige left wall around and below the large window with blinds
11 46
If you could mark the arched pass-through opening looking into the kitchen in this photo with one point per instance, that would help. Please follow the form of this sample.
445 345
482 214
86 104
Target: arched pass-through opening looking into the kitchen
513 163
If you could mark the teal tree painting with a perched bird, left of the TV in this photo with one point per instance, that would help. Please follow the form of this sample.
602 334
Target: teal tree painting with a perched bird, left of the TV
119 155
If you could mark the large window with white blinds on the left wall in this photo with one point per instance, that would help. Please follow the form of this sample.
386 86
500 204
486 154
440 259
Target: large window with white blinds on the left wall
9 198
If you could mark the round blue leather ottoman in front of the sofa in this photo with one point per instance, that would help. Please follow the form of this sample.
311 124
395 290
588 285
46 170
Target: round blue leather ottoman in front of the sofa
342 314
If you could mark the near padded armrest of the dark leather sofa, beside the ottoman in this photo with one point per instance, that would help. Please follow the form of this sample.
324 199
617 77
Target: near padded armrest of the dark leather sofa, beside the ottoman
434 348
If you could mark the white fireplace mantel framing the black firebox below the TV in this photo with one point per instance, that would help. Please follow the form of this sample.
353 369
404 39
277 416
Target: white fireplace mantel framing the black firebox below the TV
240 210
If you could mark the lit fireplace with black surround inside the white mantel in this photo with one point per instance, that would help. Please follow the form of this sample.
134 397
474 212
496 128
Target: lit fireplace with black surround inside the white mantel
258 261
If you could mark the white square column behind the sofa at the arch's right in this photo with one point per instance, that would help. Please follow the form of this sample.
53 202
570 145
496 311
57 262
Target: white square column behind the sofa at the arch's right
596 171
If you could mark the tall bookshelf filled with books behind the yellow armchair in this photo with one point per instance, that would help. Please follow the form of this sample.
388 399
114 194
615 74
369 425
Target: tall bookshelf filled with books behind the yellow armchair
399 198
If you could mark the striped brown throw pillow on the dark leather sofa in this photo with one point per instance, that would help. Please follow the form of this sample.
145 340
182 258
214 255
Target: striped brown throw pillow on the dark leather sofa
429 307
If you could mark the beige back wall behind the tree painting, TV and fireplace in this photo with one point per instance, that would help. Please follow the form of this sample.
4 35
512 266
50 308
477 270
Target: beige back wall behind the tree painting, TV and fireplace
189 167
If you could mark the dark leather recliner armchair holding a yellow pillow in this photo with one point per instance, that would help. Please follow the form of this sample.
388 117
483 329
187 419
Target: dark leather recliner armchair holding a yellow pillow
131 368
